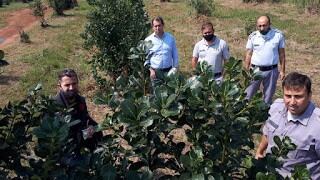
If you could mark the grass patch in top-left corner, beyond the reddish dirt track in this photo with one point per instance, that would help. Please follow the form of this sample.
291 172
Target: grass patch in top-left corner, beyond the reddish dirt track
5 11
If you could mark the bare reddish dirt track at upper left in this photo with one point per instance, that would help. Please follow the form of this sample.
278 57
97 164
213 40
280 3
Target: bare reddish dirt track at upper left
16 22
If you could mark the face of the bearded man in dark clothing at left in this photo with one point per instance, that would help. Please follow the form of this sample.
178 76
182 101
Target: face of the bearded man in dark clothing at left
69 86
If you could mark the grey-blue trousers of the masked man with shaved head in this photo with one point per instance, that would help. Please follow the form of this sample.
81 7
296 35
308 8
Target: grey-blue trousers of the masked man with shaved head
269 82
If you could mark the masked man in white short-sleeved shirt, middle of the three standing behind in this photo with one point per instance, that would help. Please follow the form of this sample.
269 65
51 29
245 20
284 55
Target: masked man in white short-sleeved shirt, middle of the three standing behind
212 50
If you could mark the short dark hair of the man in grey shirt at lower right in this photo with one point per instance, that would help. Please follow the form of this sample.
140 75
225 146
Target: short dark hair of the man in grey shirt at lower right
297 80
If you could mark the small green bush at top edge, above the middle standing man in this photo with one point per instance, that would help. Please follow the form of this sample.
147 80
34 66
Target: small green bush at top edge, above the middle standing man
202 7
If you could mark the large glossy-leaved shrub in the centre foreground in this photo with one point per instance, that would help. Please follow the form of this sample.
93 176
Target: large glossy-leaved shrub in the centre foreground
215 115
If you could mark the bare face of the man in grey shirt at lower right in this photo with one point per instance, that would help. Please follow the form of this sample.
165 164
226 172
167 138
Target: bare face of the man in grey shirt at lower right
296 99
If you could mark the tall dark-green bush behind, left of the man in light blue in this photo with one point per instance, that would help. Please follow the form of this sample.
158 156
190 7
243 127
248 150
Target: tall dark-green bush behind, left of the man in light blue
113 28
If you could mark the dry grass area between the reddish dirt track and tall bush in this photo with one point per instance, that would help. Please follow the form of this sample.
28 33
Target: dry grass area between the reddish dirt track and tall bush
51 49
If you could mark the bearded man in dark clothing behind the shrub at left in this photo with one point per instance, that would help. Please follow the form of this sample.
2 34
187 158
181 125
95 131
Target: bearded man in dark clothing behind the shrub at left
69 98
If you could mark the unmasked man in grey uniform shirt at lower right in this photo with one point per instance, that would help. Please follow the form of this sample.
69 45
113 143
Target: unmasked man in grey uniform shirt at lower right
297 117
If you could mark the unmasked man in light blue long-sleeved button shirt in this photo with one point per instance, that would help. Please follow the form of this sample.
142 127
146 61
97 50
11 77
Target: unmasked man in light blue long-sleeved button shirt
163 56
